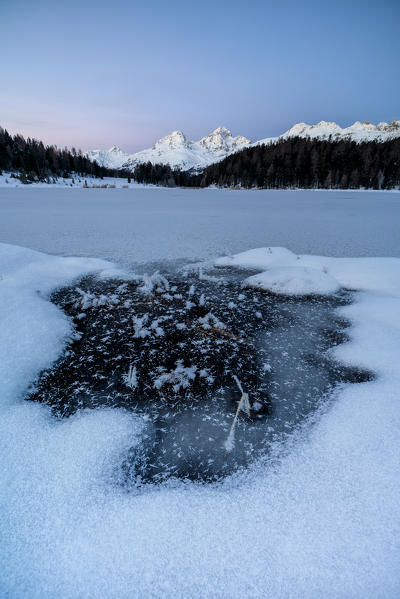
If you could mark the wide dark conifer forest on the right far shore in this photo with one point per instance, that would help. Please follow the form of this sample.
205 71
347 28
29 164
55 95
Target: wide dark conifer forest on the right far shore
293 163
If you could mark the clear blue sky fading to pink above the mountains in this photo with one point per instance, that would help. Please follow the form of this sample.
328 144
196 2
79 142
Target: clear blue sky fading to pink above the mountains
96 74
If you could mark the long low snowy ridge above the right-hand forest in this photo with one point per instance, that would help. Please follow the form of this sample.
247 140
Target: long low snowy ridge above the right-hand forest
357 132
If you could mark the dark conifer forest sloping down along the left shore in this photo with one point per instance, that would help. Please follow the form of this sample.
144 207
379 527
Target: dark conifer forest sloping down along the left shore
32 161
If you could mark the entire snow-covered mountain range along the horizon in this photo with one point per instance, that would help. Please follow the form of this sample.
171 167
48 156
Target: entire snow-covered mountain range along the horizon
179 152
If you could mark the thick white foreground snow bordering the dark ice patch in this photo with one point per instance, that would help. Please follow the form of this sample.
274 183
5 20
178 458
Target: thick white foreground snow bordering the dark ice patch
323 522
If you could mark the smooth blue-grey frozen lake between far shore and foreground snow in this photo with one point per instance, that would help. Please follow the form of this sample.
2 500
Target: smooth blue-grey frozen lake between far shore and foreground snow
154 224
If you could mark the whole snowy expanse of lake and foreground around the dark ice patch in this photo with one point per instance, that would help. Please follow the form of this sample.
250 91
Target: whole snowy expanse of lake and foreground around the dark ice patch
322 521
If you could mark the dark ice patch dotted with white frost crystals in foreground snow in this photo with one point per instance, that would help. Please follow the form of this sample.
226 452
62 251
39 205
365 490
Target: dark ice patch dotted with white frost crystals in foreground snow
169 350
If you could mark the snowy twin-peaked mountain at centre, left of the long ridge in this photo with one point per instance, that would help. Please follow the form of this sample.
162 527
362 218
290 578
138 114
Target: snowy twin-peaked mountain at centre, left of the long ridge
176 150
